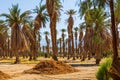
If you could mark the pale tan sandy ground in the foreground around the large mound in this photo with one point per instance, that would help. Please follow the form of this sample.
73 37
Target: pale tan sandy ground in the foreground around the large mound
15 70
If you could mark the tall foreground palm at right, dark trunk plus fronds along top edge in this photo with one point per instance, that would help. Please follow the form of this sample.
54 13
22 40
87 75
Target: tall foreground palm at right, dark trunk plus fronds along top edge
115 63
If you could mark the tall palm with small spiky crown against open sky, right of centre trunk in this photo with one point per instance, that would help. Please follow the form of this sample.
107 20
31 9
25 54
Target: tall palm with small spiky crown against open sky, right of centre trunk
70 20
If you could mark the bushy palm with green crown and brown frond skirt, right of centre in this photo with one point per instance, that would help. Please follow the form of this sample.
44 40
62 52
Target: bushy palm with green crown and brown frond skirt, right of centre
95 25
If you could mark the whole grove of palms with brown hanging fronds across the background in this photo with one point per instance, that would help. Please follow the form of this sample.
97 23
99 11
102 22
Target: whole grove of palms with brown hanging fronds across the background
95 37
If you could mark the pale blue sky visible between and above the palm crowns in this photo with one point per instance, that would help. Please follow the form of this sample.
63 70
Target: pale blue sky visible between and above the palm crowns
31 4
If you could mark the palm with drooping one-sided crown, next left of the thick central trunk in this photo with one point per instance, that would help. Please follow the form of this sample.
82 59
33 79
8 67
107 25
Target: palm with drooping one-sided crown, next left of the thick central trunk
40 21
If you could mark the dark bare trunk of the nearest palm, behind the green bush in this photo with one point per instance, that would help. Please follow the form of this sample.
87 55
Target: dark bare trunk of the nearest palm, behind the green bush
115 70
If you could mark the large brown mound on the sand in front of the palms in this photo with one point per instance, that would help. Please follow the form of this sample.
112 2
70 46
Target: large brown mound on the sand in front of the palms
51 67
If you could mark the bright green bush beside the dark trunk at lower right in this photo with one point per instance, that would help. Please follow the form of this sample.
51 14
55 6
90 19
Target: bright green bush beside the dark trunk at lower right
102 73
